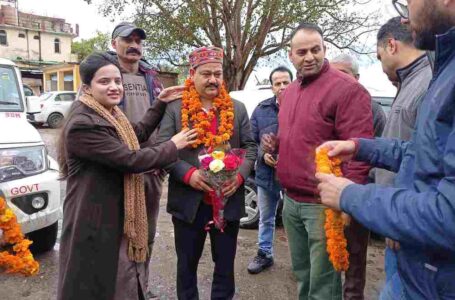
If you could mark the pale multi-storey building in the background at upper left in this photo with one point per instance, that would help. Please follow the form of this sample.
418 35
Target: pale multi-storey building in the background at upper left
41 47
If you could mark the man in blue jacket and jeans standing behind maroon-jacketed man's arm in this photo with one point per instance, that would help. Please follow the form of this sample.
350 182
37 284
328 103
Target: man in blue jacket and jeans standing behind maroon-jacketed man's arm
265 120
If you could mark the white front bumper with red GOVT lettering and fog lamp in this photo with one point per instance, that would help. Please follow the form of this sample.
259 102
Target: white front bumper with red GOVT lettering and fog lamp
22 190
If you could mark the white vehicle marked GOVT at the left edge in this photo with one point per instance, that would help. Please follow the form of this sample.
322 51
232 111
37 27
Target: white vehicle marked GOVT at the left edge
28 175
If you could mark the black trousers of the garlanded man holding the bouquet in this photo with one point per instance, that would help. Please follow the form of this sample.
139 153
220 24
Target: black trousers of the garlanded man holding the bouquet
189 244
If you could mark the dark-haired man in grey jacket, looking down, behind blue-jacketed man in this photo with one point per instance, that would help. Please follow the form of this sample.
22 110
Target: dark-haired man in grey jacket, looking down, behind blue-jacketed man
410 67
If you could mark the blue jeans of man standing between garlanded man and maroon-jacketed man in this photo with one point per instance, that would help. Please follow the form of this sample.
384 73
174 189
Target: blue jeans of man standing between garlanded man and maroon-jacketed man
268 203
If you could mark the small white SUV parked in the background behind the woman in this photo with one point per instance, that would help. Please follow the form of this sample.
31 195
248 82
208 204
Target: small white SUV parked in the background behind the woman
54 108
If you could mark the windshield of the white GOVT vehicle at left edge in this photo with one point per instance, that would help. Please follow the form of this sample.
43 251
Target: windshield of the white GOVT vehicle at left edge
10 96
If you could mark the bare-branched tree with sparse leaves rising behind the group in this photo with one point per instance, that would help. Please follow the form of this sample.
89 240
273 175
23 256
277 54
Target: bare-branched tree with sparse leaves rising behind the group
248 30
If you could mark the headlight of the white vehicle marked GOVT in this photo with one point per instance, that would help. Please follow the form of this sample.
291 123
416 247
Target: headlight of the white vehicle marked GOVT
16 163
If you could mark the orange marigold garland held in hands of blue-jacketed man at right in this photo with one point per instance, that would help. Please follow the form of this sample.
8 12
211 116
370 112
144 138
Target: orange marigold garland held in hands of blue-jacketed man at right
334 223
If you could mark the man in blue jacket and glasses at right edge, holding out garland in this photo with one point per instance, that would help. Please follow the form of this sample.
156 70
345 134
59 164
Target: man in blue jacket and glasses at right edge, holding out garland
419 210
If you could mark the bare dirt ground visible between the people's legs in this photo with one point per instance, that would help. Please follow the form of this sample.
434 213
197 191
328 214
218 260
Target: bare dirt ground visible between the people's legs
275 283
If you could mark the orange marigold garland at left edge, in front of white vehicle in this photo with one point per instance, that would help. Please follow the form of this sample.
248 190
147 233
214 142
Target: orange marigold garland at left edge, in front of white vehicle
20 259
